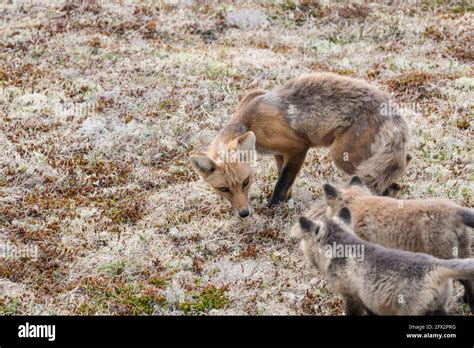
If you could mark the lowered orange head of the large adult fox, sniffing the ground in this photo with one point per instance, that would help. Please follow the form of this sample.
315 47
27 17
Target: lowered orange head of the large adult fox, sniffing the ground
230 175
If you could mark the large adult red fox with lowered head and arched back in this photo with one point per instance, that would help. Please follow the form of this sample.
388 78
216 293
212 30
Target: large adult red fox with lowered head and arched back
365 136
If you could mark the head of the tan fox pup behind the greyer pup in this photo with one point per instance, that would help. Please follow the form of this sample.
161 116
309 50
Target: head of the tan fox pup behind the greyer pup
336 199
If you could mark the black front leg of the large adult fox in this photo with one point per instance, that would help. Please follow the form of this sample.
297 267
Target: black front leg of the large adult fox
289 170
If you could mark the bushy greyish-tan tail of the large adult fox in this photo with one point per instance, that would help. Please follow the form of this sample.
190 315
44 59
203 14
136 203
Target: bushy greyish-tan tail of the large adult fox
389 156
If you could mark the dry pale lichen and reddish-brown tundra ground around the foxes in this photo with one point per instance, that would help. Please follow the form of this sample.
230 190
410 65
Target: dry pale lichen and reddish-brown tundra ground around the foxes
101 102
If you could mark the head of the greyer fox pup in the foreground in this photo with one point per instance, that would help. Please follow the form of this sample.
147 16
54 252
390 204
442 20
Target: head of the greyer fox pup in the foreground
317 235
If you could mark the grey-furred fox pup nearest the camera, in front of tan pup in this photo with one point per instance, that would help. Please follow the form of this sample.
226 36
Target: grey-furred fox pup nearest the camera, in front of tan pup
380 281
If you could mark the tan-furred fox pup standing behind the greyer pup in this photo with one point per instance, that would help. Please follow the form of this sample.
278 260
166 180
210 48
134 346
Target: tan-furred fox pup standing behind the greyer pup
433 226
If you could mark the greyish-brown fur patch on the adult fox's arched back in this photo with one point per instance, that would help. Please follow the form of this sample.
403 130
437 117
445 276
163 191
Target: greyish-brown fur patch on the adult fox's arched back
318 103
